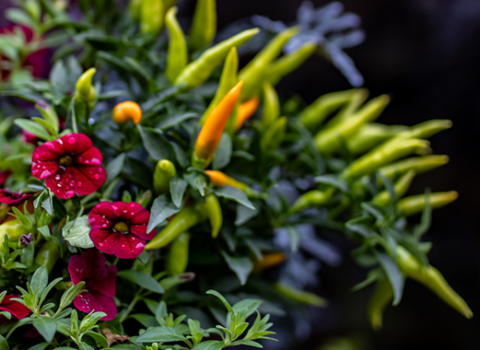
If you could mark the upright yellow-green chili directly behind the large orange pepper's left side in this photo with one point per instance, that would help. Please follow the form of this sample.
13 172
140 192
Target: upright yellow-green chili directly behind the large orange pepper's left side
228 80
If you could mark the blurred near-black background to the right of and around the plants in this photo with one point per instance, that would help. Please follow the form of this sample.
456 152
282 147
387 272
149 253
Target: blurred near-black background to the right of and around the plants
426 55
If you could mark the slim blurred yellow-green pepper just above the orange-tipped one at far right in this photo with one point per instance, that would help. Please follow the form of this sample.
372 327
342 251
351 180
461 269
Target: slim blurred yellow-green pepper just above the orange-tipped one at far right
418 164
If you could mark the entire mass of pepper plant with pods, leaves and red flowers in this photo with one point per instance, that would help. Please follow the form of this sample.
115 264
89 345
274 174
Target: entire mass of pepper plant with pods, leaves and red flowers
155 195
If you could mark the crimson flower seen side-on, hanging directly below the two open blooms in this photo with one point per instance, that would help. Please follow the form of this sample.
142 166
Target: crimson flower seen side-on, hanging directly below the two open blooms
100 281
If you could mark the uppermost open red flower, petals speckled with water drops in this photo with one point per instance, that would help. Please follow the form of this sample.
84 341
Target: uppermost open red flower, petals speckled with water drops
69 165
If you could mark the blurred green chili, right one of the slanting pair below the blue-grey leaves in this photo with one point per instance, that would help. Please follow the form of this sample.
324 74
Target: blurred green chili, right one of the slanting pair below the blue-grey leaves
288 63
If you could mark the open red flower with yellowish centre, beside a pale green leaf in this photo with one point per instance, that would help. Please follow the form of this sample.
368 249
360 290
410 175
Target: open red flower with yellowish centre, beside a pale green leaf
120 228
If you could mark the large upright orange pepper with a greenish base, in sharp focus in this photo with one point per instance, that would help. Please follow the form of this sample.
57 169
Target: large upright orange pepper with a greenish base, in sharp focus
212 130
